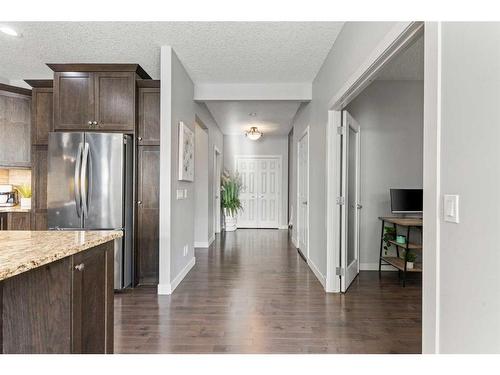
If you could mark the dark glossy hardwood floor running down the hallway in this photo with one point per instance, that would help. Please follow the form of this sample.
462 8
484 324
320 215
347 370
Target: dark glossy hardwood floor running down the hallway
252 293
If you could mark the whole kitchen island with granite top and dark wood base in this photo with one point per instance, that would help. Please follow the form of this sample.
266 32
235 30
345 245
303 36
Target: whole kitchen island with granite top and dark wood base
56 291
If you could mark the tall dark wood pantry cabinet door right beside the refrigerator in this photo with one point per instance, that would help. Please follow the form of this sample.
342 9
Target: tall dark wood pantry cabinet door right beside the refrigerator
147 245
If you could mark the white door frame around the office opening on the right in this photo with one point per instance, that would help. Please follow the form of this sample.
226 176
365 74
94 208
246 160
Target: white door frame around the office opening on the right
398 39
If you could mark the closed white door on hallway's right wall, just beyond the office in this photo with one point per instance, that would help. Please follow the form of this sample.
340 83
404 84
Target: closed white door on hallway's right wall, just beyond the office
303 194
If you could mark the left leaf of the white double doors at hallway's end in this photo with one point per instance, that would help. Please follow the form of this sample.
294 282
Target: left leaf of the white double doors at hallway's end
248 217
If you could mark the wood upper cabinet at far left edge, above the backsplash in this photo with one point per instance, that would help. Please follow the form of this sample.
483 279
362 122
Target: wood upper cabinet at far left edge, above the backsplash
15 127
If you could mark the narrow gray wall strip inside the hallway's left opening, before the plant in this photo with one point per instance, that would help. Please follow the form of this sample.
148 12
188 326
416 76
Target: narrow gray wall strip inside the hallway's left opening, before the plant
201 193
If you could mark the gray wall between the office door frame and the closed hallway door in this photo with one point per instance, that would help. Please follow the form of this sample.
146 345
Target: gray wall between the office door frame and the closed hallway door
355 43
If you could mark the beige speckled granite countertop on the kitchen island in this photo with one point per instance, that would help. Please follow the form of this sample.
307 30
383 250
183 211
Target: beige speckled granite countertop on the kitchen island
21 251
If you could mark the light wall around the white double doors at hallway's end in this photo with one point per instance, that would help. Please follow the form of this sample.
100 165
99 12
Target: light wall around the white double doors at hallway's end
267 145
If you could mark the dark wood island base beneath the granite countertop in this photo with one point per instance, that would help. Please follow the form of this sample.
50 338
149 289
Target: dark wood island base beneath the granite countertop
63 307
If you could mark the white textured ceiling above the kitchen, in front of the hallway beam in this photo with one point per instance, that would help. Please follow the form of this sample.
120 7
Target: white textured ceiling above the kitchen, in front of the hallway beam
211 51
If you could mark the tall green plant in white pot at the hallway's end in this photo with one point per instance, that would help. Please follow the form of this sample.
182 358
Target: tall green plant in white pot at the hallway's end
230 199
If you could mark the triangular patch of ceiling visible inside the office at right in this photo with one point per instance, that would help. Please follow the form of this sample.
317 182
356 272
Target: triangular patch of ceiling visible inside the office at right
409 65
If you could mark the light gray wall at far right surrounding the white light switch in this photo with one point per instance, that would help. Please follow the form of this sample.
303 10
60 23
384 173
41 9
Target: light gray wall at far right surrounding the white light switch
470 166
